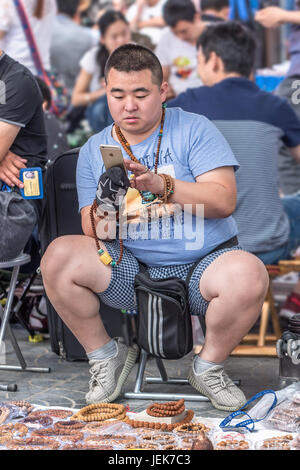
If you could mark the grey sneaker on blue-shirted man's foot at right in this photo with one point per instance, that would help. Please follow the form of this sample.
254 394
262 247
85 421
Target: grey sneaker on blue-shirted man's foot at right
215 384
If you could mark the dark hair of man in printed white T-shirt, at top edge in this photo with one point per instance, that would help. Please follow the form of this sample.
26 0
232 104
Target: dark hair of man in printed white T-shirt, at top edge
178 10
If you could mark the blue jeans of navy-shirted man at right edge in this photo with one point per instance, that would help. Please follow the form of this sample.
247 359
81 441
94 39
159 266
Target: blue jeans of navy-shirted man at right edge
291 204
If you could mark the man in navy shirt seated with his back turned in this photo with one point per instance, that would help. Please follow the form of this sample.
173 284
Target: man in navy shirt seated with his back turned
255 123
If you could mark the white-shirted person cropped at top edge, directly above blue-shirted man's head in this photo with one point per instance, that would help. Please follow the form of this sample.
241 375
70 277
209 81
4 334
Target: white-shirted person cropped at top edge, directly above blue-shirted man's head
145 16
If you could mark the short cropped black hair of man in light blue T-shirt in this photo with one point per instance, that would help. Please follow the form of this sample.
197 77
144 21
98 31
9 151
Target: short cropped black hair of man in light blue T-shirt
135 58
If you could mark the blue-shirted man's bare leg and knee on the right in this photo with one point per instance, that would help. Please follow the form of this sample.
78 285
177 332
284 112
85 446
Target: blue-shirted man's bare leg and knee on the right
235 284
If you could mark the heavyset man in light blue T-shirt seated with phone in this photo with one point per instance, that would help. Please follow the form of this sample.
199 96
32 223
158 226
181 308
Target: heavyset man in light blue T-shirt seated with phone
201 166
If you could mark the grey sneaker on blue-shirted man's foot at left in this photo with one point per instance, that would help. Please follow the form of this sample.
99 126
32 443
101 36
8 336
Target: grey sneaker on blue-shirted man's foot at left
109 375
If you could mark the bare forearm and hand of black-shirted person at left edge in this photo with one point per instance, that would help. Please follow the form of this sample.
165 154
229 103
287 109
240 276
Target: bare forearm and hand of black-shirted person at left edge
10 164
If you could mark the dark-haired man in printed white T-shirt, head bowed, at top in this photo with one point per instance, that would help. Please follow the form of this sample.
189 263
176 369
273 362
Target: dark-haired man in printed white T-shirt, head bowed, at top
177 49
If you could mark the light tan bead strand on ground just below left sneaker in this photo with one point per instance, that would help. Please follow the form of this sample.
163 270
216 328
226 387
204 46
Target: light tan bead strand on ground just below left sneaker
101 412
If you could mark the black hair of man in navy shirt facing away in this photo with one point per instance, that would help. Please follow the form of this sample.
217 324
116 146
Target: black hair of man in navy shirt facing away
233 43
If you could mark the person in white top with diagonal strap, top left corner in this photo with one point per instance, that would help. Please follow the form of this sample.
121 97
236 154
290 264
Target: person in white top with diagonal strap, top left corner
41 14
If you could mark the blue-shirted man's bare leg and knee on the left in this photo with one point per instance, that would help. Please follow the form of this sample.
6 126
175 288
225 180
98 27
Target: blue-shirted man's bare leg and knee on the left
72 274
